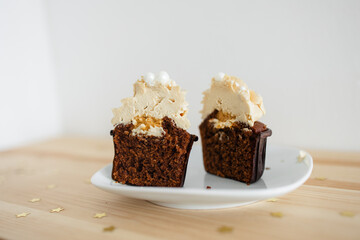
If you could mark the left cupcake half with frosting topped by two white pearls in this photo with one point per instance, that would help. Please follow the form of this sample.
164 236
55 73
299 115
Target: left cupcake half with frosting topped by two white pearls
151 143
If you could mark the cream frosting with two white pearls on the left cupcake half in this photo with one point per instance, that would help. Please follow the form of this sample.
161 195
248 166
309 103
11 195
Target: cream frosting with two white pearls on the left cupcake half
155 97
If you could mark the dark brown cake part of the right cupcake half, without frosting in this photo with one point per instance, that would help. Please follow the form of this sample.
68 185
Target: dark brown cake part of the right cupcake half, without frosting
236 152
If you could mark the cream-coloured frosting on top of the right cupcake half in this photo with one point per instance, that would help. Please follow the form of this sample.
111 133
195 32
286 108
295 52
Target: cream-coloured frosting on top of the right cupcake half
234 101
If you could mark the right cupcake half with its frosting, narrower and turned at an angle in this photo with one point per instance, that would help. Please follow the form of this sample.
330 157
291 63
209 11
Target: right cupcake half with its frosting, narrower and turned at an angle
233 141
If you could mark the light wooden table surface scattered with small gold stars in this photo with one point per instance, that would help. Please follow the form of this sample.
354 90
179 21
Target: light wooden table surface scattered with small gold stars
320 209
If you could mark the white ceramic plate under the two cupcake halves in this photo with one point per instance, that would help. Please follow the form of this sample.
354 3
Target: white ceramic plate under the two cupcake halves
285 175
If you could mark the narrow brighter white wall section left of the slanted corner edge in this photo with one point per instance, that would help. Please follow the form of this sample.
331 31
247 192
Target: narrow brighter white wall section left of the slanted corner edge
29 107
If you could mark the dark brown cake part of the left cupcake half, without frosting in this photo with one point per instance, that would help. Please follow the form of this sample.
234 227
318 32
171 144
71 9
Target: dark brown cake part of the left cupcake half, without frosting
151 161
